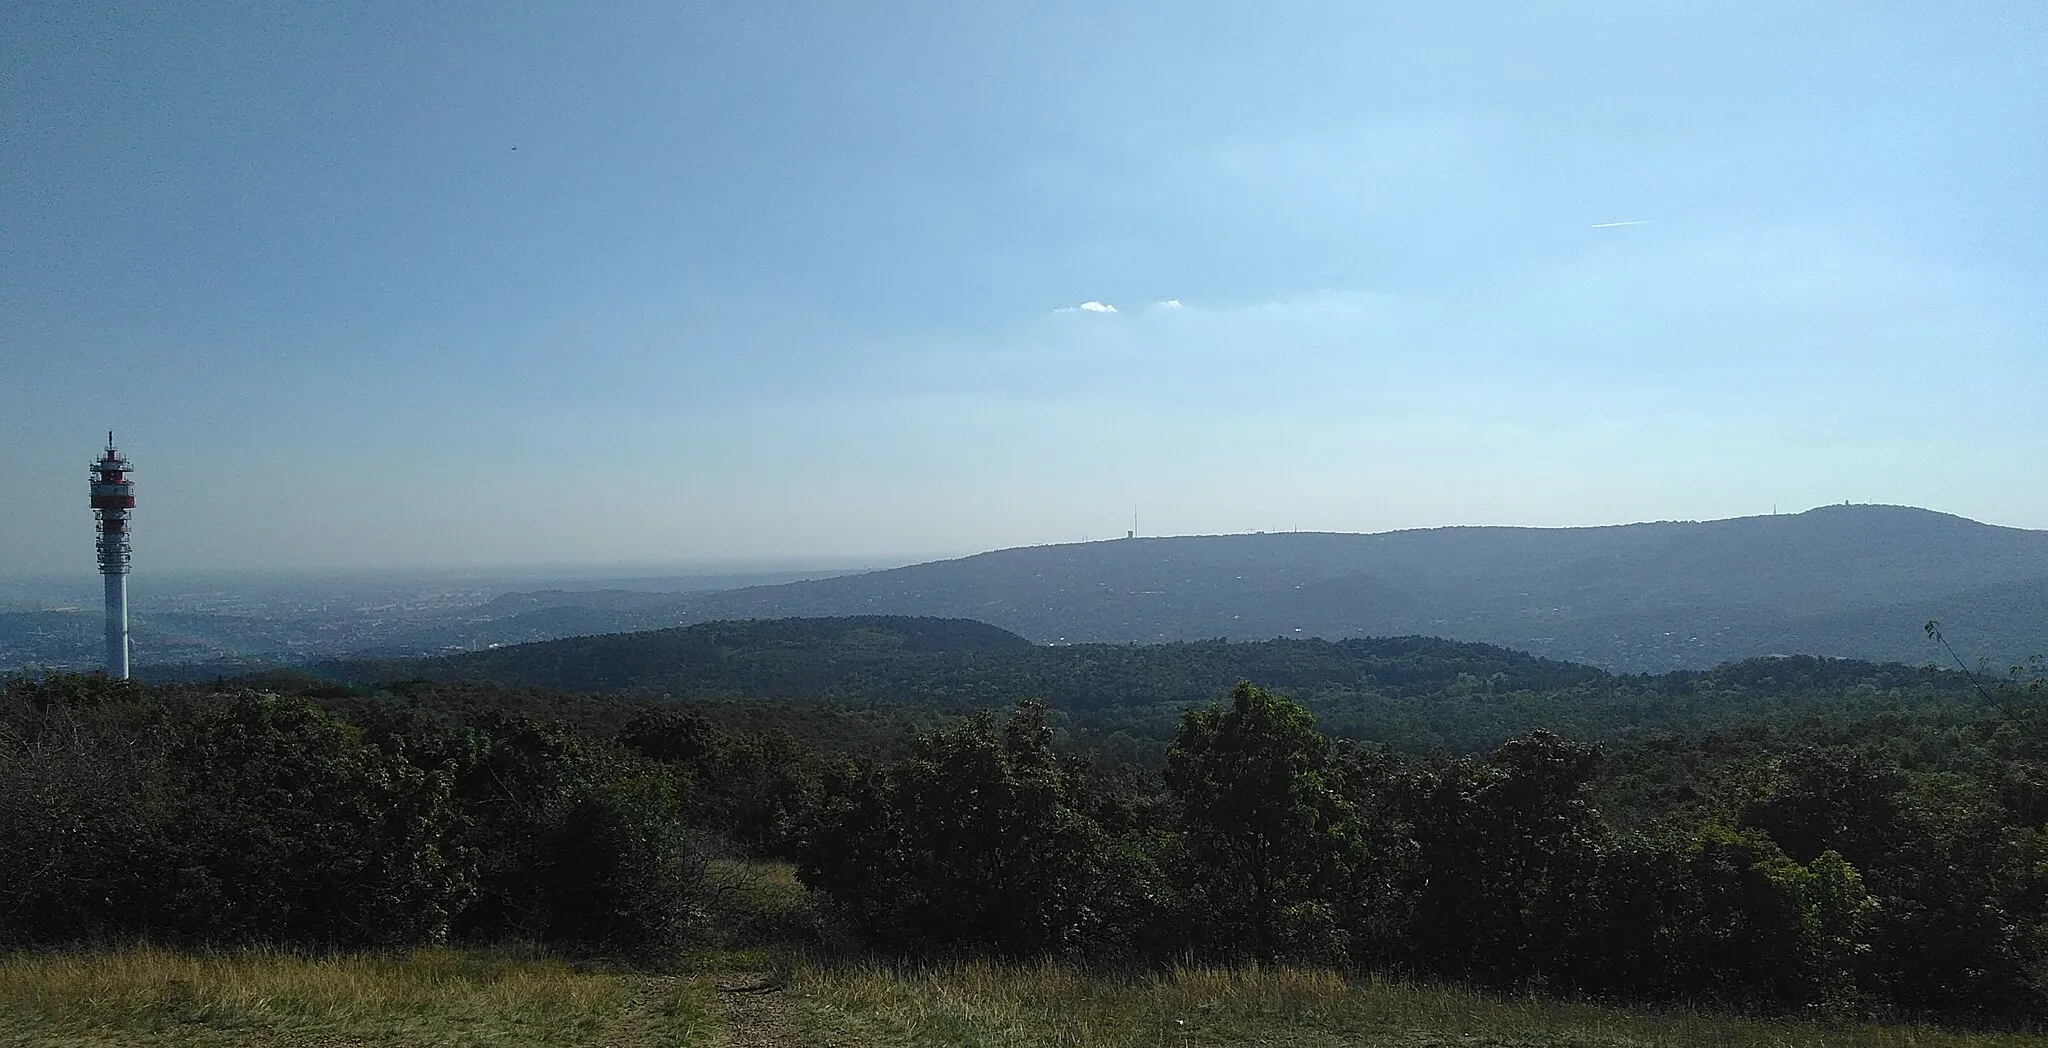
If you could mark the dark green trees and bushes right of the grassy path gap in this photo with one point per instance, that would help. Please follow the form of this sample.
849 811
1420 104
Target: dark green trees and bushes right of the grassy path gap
1826 883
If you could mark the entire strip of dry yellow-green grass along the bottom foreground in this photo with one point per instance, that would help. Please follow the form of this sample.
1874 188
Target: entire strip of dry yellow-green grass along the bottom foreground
445 998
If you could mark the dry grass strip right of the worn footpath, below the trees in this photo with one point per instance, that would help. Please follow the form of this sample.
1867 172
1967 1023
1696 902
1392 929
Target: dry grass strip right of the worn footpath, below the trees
1052 1006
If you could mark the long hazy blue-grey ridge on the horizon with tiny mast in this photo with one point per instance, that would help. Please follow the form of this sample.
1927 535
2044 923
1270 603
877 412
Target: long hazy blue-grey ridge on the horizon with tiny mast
1842 580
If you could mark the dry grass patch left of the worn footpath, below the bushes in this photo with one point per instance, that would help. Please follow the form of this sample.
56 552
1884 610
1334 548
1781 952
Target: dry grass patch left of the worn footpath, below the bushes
423 998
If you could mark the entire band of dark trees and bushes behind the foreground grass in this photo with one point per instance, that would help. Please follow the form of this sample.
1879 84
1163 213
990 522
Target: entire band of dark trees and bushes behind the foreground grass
1889 867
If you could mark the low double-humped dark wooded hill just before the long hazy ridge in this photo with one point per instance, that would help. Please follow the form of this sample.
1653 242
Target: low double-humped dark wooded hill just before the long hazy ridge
968 664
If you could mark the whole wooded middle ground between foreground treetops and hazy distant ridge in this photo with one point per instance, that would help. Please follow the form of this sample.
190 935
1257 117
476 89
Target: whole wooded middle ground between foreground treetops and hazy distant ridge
1412 693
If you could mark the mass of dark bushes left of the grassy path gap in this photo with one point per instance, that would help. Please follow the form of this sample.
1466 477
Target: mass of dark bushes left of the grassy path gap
245 818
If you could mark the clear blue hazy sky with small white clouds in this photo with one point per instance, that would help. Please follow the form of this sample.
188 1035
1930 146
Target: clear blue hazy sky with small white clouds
503 283
